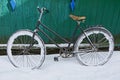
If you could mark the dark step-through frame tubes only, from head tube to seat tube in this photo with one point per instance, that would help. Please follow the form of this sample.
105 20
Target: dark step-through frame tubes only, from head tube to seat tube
38 29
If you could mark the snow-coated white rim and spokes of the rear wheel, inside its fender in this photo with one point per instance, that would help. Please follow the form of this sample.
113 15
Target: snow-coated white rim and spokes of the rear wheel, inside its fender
93 57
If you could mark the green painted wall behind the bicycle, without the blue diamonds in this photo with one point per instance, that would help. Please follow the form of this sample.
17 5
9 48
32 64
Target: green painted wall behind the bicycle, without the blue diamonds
98 12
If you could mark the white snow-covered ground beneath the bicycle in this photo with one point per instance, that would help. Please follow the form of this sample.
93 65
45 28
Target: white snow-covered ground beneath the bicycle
65 69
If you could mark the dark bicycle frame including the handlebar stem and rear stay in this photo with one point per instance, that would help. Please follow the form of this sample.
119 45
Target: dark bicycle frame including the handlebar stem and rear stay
38 29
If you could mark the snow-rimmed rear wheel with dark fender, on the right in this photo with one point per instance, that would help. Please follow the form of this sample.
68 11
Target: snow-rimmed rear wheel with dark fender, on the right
101 49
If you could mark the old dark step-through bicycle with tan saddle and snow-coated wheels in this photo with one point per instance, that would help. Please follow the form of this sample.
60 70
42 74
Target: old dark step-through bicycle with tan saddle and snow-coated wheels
92 48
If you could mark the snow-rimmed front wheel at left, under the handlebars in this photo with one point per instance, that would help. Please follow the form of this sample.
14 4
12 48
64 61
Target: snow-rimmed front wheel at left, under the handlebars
24 51
